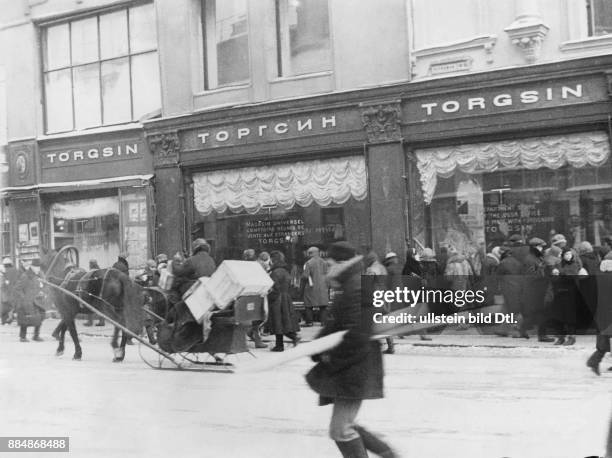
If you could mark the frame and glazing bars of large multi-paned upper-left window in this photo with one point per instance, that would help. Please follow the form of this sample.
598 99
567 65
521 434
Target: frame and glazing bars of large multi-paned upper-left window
42 28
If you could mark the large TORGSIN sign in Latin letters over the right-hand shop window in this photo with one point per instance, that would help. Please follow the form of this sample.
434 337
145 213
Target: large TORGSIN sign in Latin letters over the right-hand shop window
496 100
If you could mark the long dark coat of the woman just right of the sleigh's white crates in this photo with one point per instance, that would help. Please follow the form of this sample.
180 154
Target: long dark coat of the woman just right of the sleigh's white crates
282 318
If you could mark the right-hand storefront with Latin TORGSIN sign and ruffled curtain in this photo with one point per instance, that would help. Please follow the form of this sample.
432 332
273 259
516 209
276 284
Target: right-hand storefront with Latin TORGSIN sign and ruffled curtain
521 154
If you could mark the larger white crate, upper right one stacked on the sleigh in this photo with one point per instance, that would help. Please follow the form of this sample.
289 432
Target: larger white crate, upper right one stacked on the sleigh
238 278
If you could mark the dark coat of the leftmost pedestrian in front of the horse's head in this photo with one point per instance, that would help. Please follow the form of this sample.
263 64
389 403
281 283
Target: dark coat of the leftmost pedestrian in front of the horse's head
30 297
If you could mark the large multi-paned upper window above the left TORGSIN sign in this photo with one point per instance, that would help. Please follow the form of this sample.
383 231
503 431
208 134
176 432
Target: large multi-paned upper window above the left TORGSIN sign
101 70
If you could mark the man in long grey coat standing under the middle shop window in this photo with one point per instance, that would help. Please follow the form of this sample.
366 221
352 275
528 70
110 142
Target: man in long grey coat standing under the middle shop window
316 293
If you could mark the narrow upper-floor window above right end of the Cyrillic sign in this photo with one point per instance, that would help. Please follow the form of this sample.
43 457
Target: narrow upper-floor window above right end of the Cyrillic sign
303 38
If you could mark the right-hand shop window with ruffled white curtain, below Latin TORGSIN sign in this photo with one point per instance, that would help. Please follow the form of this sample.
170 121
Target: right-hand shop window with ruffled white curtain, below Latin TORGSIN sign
533 188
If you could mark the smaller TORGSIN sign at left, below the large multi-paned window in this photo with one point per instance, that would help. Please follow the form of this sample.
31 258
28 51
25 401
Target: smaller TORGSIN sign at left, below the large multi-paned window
91 154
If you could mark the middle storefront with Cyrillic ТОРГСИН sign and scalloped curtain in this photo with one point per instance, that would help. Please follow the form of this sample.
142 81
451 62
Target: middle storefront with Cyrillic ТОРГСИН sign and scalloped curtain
283 179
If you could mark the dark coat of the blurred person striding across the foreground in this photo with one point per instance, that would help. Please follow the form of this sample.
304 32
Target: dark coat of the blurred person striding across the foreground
353 369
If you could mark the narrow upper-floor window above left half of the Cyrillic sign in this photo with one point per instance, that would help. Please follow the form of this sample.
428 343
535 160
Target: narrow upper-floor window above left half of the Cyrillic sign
226 42
